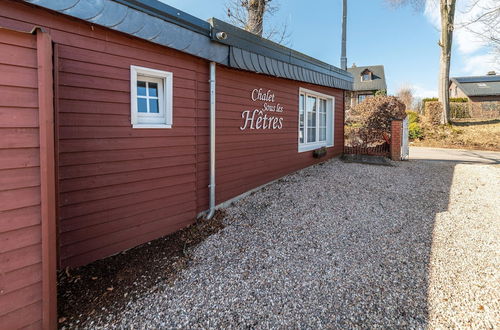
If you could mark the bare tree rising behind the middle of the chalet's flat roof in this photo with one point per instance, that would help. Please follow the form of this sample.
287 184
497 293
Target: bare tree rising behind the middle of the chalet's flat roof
251 16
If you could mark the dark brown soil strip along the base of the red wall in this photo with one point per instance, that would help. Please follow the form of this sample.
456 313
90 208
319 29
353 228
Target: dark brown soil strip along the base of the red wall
106 286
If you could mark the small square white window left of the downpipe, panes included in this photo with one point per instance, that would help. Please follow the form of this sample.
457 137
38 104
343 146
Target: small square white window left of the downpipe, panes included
151 98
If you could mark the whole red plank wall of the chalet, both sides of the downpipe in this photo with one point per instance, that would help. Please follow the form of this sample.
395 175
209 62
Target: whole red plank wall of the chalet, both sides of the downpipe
119 187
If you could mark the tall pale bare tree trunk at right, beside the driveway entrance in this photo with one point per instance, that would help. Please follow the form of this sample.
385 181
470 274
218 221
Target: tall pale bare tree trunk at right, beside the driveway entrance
447 14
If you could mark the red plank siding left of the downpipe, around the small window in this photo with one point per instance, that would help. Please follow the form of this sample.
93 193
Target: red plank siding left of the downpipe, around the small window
118 187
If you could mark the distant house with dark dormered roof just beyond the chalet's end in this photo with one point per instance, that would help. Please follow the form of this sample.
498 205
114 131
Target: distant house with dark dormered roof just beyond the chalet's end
367 81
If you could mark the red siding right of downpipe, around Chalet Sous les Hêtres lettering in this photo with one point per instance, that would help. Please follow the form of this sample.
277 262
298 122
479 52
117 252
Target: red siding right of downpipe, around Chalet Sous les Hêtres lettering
250 158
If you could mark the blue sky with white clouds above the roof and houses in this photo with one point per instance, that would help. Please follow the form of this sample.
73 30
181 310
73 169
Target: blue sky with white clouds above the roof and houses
402 39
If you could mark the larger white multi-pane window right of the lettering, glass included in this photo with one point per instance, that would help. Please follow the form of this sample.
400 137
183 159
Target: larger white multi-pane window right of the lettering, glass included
316 118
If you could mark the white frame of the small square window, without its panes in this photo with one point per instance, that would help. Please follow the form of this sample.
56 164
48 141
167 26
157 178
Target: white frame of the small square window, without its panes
163 119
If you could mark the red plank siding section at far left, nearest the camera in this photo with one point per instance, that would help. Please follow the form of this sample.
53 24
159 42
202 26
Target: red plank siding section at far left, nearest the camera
20 217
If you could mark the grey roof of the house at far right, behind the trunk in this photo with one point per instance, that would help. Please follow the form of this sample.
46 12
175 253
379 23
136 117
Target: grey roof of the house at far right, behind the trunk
479 85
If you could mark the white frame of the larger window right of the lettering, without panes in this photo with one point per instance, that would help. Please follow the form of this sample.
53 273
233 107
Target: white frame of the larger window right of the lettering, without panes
330 121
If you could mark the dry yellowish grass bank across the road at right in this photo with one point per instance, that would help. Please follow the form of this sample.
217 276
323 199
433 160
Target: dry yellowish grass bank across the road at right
477 134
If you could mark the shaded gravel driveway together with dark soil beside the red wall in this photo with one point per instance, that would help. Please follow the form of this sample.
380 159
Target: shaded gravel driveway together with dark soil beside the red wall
358 257
